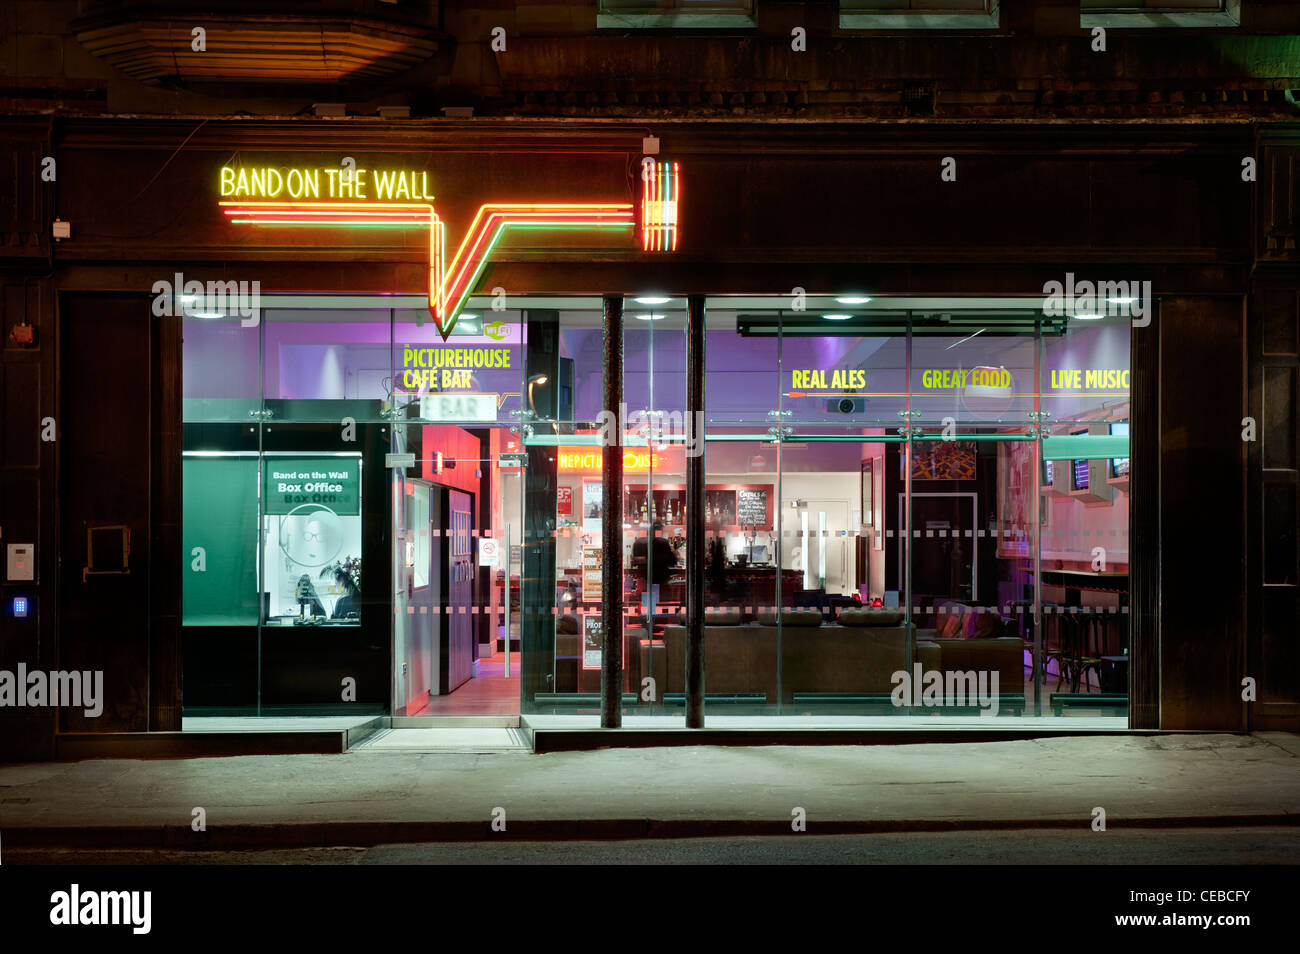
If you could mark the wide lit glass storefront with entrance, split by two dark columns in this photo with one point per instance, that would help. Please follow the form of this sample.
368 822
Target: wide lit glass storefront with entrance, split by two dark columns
889 485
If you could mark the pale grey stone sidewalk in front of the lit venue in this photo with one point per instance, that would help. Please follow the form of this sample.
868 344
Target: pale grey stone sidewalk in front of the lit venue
374 797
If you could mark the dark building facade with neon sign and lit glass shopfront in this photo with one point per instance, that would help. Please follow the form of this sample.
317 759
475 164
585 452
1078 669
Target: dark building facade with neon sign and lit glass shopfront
955 340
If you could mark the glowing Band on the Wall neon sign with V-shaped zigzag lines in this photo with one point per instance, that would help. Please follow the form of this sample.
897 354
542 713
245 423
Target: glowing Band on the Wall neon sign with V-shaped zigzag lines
302 198
